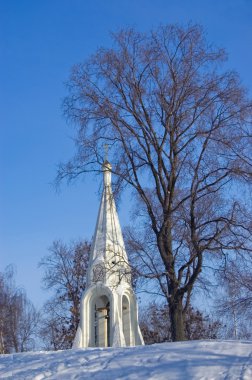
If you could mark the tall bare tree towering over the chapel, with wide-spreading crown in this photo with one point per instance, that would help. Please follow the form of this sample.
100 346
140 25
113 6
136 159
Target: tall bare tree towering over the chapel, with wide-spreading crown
178 127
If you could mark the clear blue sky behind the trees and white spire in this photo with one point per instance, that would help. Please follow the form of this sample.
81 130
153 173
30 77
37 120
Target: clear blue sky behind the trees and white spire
39 42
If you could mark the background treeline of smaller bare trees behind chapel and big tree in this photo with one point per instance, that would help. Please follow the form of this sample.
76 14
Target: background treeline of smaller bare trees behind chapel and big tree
23 328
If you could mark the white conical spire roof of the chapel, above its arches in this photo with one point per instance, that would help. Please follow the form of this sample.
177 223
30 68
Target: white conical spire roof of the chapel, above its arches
108 250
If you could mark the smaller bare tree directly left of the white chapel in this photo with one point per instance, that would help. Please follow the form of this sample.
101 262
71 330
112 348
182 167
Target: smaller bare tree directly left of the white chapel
65 275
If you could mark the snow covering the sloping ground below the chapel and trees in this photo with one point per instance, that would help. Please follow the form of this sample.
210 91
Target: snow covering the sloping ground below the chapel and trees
199 360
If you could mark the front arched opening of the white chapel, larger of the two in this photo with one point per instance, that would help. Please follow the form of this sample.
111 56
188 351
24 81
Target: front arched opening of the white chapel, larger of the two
102 322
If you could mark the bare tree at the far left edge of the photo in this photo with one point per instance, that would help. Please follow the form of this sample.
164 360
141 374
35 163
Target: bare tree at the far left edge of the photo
18 317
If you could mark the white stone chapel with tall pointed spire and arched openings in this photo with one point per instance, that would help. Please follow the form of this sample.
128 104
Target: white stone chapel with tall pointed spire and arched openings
108 312
